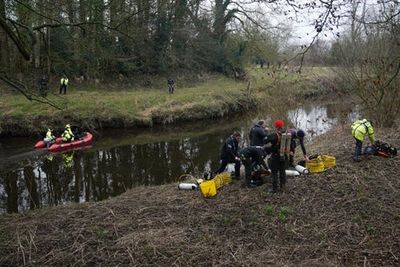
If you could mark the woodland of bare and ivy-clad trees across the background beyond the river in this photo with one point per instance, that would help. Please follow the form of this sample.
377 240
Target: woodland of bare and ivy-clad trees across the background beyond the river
111 41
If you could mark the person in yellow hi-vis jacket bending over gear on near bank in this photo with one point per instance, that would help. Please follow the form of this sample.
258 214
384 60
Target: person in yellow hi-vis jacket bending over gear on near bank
359 129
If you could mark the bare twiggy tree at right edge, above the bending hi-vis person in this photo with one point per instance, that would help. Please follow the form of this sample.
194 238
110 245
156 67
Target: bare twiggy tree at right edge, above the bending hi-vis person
370 60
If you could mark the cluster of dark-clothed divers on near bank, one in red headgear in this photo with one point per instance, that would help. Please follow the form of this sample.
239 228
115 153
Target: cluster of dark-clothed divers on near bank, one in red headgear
263 143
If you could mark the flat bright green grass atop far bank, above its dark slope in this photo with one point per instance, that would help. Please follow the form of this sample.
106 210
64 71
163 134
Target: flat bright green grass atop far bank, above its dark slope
127 103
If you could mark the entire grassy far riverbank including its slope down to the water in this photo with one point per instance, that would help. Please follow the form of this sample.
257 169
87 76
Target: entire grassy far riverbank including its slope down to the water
213 97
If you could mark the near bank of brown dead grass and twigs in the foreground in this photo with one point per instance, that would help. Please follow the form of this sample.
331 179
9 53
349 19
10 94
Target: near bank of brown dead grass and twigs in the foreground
346 216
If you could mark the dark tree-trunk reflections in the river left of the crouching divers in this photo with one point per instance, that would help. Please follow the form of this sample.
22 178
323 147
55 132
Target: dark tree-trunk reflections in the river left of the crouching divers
97 174
